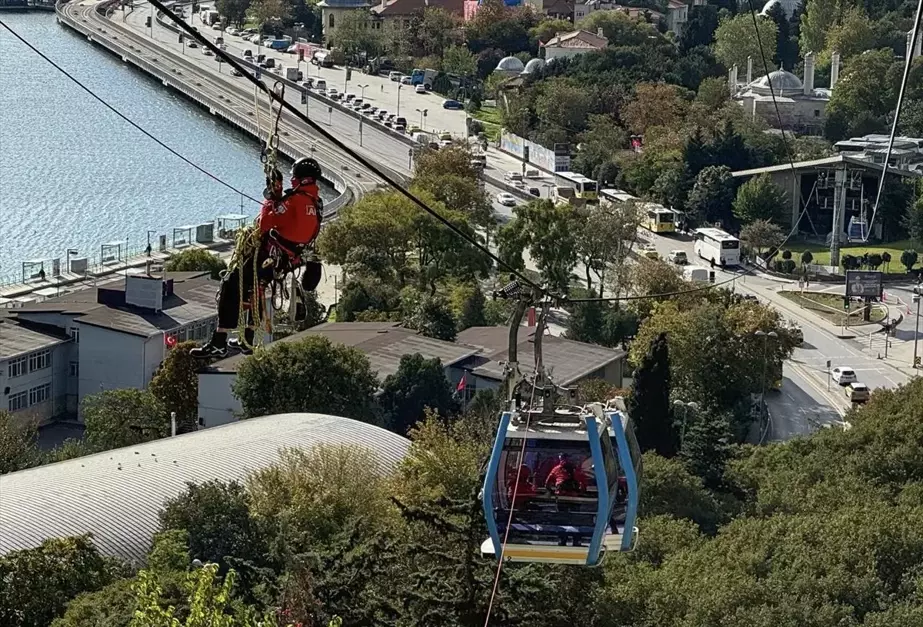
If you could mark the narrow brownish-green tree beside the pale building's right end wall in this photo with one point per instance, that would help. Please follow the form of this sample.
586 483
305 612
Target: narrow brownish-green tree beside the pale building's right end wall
176 386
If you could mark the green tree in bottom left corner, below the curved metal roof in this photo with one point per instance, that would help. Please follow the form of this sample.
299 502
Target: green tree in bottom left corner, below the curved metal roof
38 583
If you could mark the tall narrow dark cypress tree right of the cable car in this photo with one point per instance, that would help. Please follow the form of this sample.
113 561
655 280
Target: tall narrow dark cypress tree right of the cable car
649 404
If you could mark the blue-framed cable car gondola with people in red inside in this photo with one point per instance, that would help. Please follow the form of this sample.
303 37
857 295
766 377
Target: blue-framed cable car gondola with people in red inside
565 481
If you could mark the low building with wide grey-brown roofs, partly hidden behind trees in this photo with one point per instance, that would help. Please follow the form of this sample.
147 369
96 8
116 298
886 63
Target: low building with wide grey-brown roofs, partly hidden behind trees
474 357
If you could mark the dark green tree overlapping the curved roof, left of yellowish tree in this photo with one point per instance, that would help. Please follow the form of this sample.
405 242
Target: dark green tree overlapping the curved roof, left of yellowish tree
216 517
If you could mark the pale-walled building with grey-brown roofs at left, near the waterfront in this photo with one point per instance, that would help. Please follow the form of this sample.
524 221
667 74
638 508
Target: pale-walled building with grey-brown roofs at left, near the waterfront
113 336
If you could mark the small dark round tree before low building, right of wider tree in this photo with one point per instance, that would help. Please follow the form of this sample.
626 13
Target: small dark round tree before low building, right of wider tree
418 384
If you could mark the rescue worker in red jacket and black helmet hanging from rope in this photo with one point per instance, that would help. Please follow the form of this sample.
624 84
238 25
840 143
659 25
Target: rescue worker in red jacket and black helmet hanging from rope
289 221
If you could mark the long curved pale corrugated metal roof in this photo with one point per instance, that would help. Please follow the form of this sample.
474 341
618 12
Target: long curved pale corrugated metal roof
116 495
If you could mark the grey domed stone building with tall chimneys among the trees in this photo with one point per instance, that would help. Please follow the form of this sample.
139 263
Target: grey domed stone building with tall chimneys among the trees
801 105
